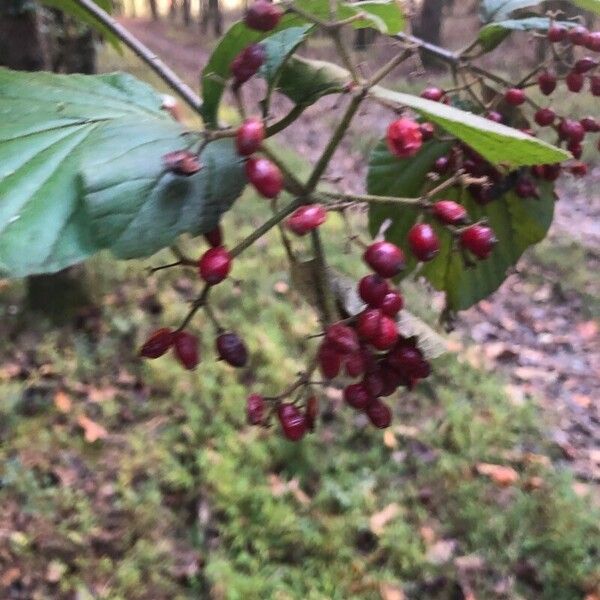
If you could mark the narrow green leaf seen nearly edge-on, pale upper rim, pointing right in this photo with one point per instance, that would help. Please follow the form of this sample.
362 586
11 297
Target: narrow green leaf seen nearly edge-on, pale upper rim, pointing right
497 143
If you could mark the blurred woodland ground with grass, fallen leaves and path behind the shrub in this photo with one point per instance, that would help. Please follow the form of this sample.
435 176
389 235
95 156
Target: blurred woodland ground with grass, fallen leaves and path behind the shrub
127 480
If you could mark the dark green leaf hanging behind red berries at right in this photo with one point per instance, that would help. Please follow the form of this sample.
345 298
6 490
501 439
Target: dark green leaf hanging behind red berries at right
517 223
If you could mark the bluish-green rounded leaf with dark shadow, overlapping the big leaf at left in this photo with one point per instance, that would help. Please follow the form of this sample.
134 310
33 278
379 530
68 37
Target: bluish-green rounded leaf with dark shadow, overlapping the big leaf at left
135 208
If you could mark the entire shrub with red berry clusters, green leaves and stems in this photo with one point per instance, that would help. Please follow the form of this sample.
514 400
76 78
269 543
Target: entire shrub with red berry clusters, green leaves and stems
461 184
